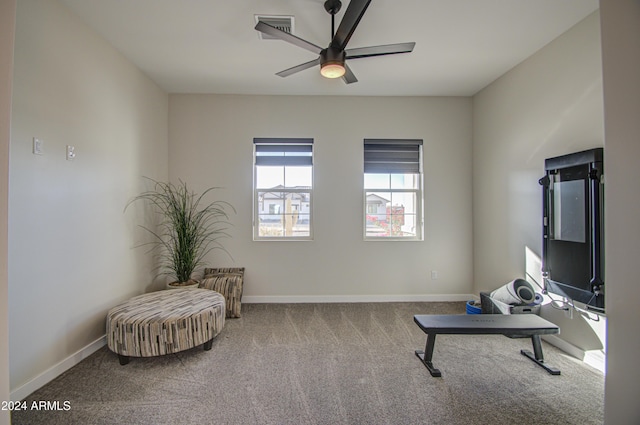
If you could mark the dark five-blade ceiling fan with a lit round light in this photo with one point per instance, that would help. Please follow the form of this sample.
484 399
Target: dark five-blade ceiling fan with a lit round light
332 60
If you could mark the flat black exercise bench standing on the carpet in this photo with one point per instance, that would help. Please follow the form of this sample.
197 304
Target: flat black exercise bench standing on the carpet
510 325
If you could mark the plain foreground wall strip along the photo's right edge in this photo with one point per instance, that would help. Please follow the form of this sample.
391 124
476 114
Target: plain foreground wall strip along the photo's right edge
620 22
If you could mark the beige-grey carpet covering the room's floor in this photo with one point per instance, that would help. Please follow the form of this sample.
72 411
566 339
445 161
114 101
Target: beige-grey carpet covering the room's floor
328 364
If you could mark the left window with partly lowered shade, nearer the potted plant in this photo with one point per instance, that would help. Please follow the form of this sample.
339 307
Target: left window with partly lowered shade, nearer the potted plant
283 189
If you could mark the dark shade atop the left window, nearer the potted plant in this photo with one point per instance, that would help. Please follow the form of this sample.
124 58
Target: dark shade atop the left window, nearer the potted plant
287 152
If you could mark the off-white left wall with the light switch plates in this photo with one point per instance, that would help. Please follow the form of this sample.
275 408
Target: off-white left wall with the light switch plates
70 245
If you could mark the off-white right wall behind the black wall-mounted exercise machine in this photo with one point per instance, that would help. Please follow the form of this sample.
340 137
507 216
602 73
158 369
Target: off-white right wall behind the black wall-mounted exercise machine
549 105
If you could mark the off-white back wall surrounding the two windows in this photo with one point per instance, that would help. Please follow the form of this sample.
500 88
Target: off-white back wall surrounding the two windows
210 144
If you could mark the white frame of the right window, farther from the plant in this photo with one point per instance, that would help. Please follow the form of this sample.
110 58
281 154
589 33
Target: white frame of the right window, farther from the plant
395 164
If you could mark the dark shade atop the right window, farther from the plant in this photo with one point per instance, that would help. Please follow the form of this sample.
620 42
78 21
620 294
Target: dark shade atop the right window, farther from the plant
392 156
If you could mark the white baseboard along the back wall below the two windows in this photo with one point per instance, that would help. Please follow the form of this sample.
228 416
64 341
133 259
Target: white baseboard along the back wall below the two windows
284 299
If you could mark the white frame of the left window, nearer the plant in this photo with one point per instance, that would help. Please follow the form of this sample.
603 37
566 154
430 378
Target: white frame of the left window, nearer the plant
284 143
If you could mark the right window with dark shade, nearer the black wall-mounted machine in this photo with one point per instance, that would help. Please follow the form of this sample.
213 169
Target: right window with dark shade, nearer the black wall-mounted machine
393 189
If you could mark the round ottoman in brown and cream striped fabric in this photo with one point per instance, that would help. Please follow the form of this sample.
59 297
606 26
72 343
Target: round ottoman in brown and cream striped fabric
165 322
